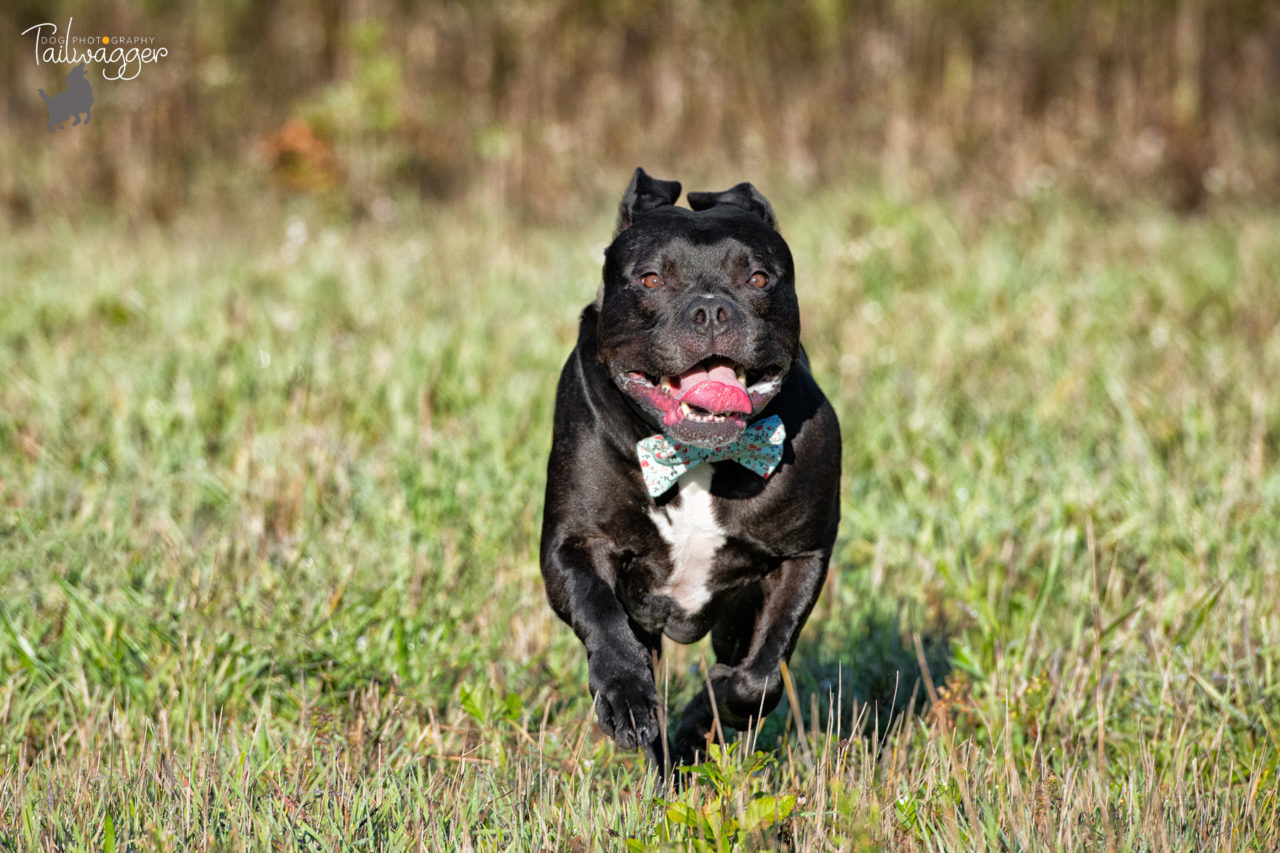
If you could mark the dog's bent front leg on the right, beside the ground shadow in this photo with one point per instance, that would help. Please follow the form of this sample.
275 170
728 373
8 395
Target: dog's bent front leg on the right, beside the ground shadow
752 642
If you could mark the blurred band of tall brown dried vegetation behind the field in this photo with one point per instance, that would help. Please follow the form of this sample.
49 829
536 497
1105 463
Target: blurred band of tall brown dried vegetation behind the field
546 107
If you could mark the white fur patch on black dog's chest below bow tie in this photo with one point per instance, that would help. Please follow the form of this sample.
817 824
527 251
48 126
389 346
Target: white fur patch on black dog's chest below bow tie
694 536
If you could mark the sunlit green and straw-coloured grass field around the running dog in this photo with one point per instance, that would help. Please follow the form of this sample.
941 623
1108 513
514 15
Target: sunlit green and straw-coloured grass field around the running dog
269 504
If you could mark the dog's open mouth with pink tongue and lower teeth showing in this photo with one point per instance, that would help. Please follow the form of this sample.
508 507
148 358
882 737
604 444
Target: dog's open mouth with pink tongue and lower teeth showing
711 402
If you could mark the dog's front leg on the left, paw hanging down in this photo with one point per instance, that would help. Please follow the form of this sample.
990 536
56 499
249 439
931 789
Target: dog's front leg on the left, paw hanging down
619 653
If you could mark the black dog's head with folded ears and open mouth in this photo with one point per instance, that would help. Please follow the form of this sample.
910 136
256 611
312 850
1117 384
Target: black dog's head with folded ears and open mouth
698 314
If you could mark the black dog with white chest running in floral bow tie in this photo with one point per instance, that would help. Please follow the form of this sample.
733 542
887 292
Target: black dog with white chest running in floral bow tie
696 336
